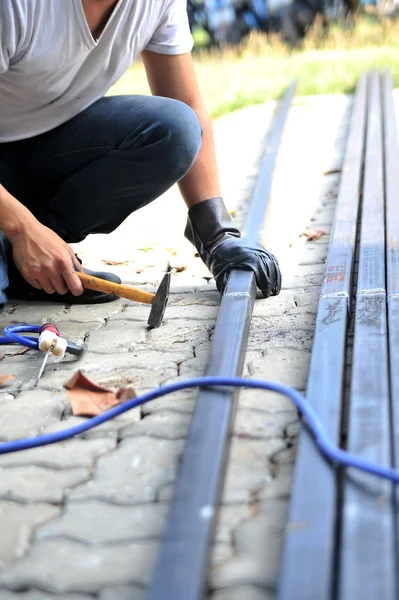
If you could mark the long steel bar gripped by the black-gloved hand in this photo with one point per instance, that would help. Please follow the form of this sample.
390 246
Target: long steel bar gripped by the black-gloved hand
181 569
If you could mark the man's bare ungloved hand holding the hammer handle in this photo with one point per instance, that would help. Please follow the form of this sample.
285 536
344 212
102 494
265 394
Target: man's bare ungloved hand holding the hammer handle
45 260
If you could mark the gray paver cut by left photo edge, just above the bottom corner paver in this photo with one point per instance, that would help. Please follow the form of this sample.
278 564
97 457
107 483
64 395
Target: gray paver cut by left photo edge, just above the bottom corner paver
17 522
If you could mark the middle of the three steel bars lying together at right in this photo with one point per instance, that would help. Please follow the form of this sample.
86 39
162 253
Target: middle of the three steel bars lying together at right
367 549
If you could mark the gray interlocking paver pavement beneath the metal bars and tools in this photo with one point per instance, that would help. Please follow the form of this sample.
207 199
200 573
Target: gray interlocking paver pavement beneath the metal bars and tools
82 519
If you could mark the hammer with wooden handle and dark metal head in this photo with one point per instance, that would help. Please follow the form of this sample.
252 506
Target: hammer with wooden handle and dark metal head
158 300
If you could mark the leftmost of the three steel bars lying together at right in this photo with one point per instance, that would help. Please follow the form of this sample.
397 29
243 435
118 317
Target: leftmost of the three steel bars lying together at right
307 570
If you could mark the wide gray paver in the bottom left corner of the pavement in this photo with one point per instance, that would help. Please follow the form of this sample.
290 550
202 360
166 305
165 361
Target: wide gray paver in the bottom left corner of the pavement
61 566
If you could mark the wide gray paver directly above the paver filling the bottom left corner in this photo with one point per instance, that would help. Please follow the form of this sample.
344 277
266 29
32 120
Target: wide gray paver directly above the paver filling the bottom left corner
98 523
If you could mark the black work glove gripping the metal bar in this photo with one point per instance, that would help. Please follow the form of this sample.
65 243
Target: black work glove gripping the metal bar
220 245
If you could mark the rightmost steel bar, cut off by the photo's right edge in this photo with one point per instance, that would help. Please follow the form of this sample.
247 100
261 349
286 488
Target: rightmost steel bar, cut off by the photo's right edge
392 258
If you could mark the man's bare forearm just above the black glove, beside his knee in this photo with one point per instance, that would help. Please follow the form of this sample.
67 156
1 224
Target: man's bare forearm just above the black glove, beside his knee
202 181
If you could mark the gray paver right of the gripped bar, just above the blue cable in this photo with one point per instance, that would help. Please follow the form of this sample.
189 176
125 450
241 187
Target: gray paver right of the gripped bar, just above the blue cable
289 366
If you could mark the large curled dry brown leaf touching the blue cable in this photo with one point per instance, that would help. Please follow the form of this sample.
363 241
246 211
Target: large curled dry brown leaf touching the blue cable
89 399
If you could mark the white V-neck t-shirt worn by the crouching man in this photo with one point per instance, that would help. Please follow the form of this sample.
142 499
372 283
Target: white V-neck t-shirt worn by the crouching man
51 68
